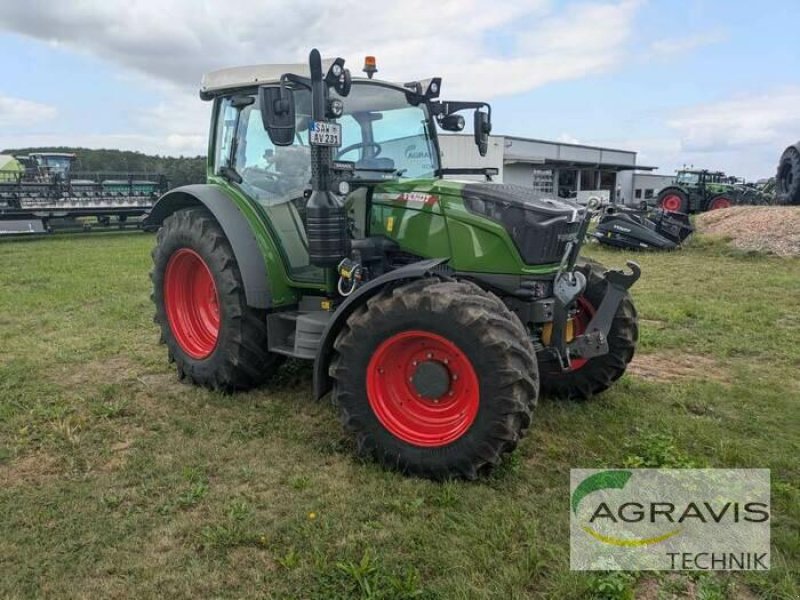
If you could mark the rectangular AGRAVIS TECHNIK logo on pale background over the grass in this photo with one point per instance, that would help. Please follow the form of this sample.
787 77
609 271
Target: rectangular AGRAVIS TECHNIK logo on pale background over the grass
670 519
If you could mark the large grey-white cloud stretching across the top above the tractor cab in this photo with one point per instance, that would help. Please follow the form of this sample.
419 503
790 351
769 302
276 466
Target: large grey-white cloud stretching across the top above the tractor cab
177 40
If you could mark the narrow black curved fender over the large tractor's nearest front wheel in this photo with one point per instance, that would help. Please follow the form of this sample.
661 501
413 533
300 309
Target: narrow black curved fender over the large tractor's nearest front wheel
417 270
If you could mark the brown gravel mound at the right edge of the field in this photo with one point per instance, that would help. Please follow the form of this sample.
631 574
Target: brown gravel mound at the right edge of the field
769 229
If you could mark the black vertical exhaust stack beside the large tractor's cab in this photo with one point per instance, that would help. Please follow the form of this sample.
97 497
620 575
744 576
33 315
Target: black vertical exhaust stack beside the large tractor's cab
326 217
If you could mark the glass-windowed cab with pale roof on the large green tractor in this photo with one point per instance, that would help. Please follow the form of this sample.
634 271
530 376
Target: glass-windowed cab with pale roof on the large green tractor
378 136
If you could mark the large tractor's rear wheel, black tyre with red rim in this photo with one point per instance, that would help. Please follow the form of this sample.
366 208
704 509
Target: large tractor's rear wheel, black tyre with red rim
214 338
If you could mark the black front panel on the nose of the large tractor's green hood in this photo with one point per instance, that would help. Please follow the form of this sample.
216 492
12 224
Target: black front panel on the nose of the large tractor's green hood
541 226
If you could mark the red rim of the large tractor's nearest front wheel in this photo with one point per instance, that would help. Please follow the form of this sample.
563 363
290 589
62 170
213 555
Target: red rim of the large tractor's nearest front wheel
398 404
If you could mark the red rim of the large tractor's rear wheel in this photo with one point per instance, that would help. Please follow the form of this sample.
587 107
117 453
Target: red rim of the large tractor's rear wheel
192 303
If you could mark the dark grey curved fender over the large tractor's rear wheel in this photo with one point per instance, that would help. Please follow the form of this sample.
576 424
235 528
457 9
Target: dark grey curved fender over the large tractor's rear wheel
236 227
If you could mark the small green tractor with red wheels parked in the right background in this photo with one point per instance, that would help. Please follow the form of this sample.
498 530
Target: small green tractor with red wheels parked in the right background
699 190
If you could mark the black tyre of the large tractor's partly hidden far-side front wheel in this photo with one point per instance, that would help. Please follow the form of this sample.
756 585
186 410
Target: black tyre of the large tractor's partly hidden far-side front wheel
598 373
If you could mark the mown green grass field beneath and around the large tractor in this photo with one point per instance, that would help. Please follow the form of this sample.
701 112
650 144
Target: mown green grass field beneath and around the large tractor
116 480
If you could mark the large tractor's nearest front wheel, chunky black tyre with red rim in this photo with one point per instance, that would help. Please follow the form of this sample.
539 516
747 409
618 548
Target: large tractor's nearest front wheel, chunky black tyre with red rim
471 336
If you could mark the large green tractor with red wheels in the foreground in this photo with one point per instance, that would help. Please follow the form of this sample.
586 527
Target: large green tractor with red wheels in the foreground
433 309
